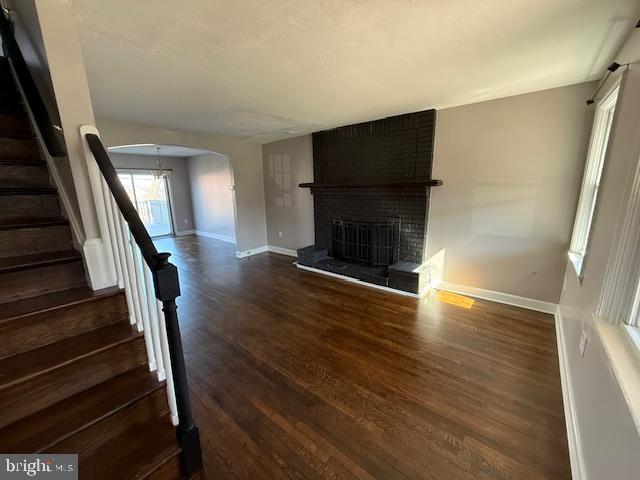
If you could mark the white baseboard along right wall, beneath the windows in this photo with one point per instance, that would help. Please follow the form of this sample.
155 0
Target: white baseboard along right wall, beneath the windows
573 433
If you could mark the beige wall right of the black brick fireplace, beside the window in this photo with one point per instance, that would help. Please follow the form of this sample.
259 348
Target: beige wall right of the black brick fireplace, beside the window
511 170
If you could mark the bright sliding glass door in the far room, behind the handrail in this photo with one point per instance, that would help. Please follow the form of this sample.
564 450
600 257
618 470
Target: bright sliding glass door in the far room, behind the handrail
150 196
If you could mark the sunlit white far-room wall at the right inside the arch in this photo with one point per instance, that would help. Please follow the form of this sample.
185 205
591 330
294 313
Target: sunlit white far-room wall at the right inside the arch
211 181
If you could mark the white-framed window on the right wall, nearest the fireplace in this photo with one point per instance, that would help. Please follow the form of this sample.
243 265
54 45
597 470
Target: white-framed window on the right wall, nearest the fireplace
591 180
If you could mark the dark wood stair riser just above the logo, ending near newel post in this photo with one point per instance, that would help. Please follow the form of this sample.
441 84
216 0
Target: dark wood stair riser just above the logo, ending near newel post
92 439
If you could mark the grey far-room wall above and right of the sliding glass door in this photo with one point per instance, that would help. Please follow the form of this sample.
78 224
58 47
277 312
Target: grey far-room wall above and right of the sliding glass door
178 181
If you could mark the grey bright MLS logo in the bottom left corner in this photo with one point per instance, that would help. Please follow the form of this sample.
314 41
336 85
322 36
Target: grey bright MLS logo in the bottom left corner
42 466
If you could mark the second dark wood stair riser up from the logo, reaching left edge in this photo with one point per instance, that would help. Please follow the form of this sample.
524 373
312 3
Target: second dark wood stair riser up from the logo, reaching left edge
27 397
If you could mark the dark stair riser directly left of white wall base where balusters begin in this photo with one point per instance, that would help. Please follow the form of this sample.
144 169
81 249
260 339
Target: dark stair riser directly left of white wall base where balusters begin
40 280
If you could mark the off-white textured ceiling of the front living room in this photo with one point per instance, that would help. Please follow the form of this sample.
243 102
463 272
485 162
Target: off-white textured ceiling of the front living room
269 69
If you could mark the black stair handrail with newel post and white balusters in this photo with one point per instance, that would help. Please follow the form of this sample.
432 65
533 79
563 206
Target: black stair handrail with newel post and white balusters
166 288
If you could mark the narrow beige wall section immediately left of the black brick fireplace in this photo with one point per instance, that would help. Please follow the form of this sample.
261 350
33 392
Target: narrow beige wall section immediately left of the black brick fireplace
289 208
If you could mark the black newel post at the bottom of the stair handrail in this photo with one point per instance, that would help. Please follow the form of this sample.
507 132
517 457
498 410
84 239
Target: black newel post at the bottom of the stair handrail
167 288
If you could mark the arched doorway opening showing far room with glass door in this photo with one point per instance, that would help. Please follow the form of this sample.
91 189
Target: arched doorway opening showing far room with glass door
179 190
